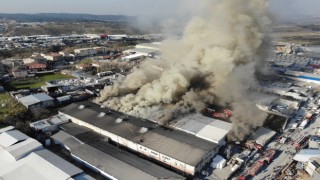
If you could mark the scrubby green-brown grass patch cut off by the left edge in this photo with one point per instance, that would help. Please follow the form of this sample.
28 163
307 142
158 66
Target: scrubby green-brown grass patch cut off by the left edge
9 106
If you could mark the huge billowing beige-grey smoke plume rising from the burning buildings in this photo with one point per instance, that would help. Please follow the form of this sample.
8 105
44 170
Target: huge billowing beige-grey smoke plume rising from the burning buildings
215 61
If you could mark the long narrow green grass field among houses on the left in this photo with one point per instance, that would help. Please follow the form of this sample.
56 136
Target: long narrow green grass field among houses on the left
39 81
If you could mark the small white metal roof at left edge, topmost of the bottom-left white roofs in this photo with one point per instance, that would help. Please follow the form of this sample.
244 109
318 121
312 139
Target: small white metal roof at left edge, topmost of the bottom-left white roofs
11 137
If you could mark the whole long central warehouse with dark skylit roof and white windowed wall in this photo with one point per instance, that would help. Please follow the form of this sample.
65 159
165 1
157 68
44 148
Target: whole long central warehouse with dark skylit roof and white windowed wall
176 149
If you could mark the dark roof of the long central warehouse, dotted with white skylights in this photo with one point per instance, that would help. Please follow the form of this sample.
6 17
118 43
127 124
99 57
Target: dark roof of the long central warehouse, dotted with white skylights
176 144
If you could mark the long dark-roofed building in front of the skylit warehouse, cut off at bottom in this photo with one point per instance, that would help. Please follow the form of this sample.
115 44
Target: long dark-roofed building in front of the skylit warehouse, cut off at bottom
91 149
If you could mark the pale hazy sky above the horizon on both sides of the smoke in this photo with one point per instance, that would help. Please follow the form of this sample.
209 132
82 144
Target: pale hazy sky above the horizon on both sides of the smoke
141 7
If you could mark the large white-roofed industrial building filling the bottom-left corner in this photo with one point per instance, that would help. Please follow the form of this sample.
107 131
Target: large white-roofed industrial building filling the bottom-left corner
24 158
